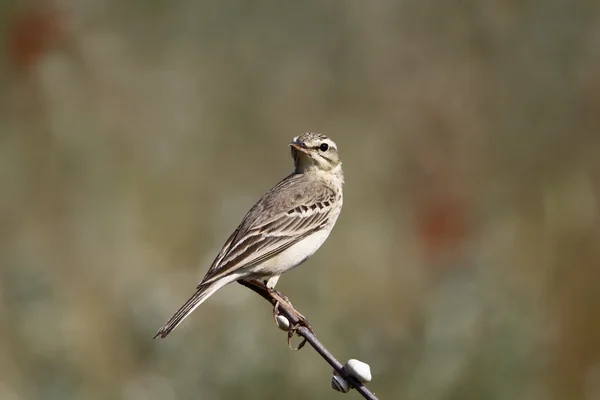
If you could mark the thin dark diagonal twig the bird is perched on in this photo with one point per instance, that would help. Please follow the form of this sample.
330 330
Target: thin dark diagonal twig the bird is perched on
312 339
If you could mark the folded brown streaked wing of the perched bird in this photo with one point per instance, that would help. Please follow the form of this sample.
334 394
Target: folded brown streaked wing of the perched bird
270 228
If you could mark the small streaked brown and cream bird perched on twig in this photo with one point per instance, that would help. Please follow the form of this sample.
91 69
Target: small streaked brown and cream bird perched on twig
283 229
